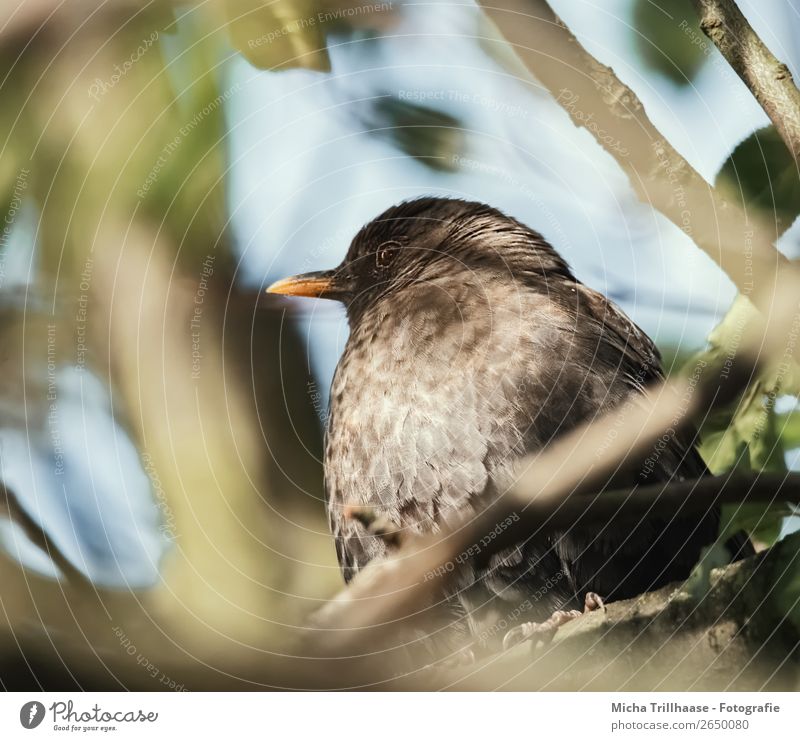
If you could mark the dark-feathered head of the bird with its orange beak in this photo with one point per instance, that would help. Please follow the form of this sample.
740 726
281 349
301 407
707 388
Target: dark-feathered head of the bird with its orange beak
427 240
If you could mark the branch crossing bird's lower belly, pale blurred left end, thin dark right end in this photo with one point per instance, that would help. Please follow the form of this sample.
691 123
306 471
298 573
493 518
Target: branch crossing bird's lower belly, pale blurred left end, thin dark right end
406 586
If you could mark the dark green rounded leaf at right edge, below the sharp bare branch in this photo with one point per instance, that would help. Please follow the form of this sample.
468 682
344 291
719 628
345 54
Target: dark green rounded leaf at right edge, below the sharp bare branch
761 173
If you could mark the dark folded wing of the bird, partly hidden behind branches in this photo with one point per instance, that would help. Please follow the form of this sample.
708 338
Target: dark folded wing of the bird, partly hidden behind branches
623 360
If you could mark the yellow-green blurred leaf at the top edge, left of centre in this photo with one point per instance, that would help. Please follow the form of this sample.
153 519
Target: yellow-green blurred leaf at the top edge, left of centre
282 33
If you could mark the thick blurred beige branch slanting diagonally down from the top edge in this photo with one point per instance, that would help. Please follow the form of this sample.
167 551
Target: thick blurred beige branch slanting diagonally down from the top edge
595 99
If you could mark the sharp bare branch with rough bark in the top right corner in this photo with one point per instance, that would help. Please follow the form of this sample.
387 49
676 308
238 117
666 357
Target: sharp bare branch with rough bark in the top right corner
767 77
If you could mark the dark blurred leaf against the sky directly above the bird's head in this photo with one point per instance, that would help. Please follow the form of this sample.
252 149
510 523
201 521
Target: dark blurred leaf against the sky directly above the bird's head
431 136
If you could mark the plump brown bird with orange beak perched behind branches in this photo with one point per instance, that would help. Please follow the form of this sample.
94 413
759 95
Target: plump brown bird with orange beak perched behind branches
472 344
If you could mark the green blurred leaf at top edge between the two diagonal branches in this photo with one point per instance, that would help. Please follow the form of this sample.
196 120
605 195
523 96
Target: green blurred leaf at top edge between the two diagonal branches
670 40
